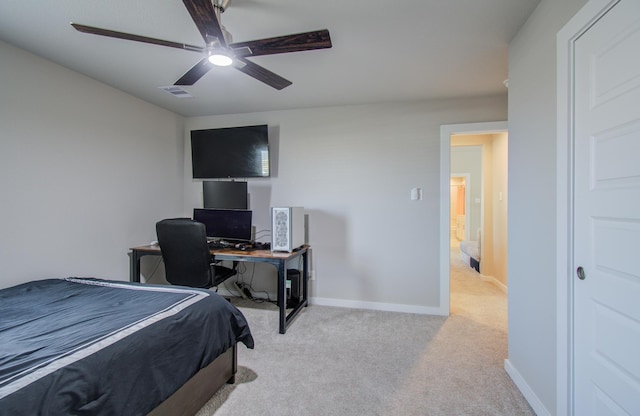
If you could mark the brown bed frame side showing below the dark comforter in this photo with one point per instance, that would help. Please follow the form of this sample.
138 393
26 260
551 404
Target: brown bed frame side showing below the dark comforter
197 391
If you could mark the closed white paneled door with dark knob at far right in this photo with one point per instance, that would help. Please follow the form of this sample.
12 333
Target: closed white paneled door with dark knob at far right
607 215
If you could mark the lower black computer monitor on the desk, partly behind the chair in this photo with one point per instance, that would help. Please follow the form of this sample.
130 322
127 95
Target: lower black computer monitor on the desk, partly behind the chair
225 224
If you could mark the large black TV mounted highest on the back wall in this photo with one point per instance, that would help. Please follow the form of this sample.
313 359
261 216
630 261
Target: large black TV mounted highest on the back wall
234 152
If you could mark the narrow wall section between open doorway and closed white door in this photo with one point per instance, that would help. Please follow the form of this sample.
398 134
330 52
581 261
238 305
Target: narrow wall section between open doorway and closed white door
532 202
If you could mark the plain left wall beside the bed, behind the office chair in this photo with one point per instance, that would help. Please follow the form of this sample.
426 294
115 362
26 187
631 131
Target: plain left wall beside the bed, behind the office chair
85 171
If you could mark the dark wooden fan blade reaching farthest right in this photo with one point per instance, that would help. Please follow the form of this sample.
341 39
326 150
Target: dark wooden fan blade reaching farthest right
307 41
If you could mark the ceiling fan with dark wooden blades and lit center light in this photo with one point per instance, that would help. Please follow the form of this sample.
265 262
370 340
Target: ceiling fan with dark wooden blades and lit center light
220 49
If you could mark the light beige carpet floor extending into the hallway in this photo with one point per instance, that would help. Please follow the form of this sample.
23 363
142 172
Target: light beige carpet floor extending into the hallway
335 361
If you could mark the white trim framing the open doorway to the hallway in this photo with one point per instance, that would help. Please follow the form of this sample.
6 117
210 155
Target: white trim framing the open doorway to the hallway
446 130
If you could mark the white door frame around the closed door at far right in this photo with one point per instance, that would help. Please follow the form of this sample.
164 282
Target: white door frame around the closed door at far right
592 11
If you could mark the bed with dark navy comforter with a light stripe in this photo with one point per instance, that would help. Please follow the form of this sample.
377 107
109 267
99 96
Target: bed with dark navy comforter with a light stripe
91 346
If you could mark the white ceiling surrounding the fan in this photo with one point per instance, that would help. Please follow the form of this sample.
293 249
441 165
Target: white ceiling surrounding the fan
383 51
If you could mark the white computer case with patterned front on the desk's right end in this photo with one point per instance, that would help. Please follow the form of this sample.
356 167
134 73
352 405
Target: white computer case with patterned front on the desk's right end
287 228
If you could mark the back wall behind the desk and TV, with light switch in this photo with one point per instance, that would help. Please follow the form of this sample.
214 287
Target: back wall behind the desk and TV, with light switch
352 168
